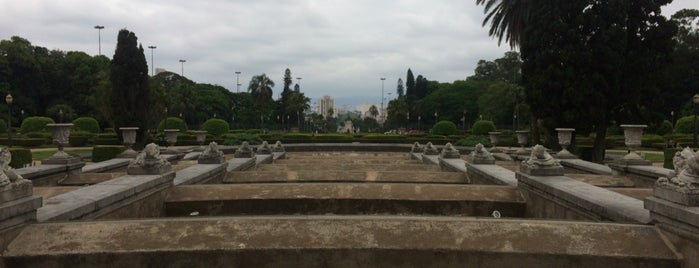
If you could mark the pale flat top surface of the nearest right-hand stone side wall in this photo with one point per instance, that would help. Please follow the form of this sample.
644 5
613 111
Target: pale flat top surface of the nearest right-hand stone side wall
586 197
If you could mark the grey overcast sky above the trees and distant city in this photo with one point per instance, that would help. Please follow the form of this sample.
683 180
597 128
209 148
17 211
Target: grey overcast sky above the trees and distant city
339 48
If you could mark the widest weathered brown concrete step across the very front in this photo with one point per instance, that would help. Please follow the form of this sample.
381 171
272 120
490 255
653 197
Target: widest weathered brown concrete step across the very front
338 241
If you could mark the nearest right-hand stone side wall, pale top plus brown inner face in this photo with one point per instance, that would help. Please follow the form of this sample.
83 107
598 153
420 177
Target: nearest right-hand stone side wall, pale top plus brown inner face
561 196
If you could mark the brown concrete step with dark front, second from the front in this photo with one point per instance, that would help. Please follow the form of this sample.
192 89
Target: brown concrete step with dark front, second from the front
344 198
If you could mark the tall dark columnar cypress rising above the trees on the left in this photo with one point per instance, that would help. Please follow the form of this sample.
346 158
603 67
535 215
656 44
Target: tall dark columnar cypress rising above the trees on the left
131 96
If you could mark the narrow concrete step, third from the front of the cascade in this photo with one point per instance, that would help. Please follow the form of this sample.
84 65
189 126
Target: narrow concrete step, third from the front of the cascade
344 176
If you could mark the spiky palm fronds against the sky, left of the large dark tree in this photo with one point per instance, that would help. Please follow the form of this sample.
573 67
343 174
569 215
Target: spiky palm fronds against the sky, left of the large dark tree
507 19
